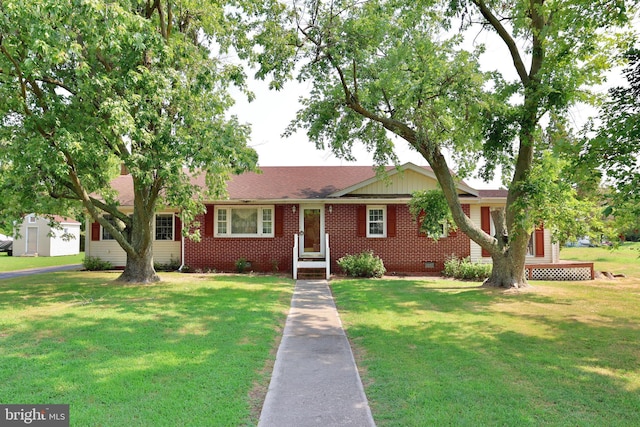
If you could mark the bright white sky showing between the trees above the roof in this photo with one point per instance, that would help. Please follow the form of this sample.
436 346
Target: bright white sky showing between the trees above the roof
271 112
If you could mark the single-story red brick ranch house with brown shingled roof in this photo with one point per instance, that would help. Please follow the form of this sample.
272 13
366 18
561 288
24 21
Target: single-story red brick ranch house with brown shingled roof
292 218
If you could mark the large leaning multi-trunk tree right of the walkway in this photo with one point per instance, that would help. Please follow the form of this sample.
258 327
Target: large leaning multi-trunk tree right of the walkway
383 68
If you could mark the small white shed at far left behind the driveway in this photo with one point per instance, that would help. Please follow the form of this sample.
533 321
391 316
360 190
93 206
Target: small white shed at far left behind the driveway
35 236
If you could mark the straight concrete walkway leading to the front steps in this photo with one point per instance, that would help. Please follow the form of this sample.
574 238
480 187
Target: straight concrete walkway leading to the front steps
315 381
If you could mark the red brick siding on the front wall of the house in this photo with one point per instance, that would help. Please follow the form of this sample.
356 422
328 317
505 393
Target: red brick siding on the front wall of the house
406 252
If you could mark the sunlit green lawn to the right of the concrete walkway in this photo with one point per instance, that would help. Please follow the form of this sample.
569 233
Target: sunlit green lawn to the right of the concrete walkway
443 352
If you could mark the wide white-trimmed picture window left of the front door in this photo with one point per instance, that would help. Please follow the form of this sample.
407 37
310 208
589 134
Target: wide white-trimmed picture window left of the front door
244 221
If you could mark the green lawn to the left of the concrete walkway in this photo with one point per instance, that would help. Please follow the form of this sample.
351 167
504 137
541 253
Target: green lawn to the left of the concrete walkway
191 350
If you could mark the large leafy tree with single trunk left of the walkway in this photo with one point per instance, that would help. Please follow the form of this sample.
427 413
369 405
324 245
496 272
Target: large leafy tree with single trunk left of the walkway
88 85
